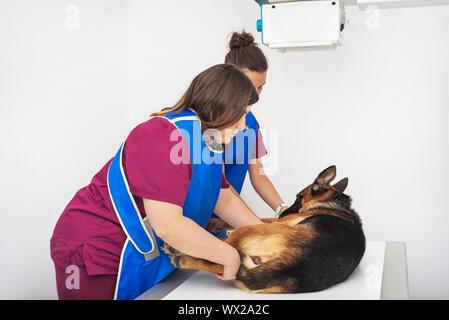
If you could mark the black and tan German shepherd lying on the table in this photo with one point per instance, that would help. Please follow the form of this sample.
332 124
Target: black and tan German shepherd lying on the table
316 243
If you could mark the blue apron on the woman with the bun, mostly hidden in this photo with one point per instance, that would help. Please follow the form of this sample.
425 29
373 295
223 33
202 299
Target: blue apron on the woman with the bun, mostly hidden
237 156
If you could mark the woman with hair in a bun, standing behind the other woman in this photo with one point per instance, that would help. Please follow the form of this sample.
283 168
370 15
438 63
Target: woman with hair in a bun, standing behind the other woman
244 53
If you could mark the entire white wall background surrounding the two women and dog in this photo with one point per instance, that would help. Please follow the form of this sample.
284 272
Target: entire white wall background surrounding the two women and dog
375 107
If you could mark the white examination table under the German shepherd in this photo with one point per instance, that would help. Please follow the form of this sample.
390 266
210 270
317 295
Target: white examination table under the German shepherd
382 274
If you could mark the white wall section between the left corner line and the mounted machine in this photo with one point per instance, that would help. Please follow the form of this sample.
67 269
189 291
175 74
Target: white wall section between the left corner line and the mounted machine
171 41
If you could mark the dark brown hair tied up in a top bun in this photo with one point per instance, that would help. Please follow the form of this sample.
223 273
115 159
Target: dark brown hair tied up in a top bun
244 53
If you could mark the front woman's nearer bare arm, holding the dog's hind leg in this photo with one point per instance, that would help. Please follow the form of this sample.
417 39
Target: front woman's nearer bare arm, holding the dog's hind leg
188 237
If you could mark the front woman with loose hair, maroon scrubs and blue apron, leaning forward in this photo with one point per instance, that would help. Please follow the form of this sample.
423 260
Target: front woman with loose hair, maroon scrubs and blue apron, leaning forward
89 240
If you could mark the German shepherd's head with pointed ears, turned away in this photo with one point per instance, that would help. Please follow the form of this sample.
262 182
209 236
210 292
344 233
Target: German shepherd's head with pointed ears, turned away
320 191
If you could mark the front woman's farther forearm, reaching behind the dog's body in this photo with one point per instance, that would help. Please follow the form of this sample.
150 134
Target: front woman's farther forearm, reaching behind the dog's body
233 210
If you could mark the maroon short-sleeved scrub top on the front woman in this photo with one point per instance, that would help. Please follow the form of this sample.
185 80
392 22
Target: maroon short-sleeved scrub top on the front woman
88 233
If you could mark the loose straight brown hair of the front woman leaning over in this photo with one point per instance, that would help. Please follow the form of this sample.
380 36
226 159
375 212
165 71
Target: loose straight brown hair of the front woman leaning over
219 95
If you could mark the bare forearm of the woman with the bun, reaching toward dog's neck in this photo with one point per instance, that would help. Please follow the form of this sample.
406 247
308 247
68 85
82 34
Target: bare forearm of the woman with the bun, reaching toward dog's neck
263 185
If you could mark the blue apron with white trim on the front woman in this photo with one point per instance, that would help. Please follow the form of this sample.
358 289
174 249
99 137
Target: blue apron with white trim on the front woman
143 264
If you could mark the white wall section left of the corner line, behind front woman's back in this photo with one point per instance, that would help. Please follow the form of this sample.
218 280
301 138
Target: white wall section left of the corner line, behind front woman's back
63 112
